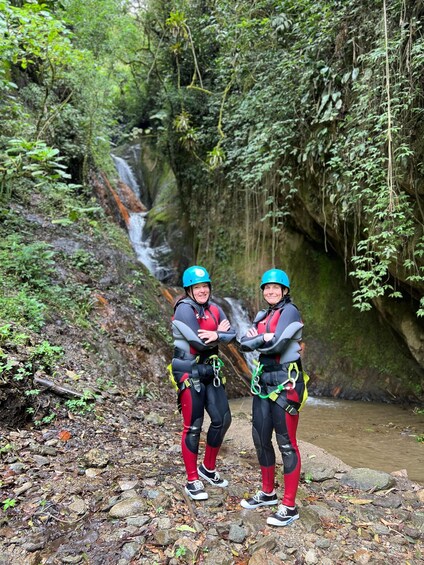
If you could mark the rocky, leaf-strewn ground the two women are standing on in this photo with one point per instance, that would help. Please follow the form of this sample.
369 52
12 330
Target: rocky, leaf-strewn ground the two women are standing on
106 488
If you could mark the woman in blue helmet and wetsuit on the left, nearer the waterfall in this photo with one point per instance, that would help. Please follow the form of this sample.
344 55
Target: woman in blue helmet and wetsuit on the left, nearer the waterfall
198 326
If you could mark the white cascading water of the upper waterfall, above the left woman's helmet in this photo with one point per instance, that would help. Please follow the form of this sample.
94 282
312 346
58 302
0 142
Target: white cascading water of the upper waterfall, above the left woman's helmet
143 249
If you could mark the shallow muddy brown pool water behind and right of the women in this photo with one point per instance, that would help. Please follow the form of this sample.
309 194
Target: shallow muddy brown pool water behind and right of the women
362 434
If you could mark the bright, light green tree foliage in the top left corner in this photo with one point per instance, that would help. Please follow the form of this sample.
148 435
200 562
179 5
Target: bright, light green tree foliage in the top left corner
71 85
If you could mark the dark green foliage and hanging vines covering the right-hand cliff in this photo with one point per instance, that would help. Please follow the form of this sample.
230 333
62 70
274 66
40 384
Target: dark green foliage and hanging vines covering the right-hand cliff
305 104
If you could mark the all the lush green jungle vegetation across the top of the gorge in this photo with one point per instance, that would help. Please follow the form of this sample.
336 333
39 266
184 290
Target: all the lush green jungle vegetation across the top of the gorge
273 114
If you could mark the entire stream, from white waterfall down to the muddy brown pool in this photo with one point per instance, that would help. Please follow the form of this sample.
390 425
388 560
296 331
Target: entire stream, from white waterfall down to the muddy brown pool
362 434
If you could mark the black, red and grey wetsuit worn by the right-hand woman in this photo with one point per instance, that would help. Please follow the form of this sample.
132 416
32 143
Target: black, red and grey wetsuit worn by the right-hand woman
279 357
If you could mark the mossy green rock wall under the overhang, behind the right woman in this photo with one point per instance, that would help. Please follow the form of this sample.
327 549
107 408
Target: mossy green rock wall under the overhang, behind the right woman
324 296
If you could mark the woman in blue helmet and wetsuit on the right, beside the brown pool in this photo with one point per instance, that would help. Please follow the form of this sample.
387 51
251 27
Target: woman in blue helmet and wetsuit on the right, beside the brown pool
278 389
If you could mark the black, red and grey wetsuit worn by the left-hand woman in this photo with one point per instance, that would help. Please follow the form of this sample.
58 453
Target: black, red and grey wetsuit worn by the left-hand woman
192 363
